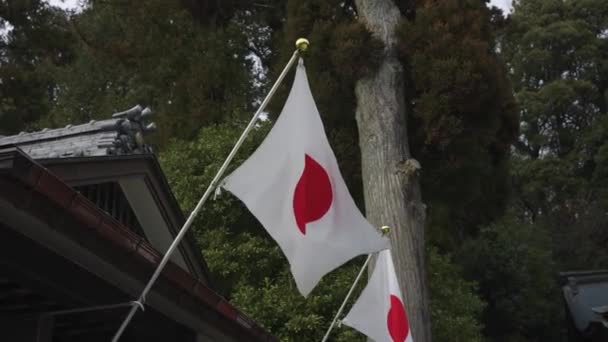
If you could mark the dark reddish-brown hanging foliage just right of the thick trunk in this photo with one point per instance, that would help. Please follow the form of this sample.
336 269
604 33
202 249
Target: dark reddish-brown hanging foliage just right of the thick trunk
463 116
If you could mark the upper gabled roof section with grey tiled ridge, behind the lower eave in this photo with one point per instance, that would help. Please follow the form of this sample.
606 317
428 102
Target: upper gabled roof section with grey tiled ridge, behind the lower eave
113 151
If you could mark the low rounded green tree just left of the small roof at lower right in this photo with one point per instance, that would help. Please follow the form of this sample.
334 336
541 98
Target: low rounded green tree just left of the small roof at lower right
512 261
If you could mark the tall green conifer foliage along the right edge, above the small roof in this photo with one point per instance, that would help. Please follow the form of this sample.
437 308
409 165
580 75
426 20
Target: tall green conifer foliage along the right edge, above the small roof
557 52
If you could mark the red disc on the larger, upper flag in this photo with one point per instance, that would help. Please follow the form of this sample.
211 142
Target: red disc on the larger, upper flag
313 195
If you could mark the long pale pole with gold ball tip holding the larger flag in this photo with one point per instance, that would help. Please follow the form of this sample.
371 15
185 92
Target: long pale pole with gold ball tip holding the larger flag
301 46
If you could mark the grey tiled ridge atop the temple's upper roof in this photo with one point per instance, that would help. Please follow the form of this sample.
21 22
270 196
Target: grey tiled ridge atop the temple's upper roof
122 134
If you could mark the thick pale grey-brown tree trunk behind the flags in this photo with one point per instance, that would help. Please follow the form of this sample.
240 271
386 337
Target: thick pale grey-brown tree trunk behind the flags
390 177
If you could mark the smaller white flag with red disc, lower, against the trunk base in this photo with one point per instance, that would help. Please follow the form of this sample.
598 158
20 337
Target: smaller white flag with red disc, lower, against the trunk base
379 312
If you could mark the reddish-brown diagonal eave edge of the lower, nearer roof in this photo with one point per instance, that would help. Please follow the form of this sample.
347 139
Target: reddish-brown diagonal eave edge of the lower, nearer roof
17 165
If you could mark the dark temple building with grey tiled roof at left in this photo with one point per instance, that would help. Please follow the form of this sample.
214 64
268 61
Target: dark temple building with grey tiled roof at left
85 213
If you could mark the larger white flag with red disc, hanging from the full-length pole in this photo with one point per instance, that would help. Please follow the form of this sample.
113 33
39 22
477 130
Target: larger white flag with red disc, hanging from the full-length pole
293 186
